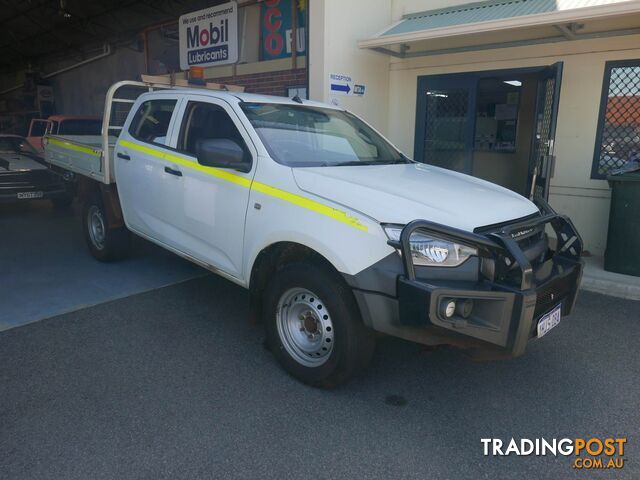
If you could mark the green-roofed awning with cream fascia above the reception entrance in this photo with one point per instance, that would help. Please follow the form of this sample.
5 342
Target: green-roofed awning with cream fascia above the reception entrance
505 23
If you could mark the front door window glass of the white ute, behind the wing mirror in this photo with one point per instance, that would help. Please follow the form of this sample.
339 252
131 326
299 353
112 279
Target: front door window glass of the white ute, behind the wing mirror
205 121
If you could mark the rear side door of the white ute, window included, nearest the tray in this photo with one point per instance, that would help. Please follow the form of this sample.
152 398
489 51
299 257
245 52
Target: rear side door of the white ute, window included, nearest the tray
140 168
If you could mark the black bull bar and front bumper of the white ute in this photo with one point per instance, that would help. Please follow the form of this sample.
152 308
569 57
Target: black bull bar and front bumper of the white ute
507 302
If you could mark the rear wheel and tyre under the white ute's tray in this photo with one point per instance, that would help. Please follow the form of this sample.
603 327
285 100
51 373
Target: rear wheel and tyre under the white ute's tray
105 243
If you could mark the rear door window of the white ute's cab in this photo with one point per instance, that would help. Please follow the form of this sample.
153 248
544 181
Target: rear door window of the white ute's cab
151 121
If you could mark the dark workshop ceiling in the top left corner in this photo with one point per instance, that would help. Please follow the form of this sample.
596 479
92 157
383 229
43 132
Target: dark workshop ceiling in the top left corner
37 31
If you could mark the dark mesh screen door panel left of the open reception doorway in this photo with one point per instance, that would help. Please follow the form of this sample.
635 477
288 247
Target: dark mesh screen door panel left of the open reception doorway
444 133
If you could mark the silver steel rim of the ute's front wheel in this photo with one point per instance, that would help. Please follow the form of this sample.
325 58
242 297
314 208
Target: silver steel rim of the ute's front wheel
305 327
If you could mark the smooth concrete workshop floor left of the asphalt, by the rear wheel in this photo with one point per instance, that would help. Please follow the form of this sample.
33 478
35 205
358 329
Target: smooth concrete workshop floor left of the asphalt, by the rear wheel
46 269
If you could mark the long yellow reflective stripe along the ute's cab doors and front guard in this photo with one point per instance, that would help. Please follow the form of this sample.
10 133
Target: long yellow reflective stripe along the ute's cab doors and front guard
298 200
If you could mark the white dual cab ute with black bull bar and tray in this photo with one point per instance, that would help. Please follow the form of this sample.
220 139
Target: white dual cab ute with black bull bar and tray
335 233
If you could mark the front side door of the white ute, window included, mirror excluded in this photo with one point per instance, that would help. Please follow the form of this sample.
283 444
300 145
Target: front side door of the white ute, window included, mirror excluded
208 206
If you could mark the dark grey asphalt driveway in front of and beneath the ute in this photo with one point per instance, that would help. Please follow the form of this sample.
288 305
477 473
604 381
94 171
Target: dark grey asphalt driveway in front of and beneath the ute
176 383
